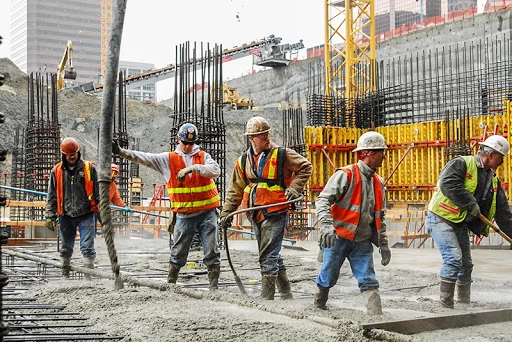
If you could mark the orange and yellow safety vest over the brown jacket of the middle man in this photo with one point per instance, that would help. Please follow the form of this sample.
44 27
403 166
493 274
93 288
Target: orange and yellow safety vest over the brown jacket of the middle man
269 187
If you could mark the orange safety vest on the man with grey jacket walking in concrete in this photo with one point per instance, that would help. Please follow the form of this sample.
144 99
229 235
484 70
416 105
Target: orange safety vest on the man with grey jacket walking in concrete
346 211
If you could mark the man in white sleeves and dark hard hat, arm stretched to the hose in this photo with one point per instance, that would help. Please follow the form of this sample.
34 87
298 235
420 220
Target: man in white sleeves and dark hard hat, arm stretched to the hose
189 173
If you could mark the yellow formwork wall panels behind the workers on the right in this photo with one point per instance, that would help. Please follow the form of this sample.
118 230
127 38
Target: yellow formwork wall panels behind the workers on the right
416 176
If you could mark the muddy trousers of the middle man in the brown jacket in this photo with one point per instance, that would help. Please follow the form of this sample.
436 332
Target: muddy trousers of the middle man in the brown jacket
270 234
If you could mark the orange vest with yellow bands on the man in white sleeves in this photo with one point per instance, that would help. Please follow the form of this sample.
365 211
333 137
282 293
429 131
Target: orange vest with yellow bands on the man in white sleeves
193 194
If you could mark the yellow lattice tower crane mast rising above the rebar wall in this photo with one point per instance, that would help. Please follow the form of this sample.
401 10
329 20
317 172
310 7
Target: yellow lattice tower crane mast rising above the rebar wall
350 57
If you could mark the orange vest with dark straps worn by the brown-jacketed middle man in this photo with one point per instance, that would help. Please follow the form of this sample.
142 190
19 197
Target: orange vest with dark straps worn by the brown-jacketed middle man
262 193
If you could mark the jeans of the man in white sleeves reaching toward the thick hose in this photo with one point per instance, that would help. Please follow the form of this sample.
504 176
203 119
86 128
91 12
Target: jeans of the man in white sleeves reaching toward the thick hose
205 224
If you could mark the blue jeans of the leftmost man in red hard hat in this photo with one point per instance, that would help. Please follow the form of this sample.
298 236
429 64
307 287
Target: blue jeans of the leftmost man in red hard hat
86 227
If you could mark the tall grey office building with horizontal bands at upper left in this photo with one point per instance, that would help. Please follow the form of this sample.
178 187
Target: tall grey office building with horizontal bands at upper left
40 31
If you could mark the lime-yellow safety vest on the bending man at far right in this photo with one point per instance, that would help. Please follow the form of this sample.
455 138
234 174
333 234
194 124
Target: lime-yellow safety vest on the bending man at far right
443 207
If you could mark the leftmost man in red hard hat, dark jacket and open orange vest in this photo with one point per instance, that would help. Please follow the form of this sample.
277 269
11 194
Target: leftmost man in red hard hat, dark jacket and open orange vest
73 199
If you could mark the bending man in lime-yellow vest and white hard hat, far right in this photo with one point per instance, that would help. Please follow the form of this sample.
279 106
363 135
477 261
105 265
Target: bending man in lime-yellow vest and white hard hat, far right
467 188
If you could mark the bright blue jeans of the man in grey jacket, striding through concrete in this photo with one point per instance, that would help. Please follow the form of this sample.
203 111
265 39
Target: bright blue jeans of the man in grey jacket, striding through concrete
360 257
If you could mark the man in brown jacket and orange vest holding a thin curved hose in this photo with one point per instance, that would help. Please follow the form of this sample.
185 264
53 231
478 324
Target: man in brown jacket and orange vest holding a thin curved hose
267 174
